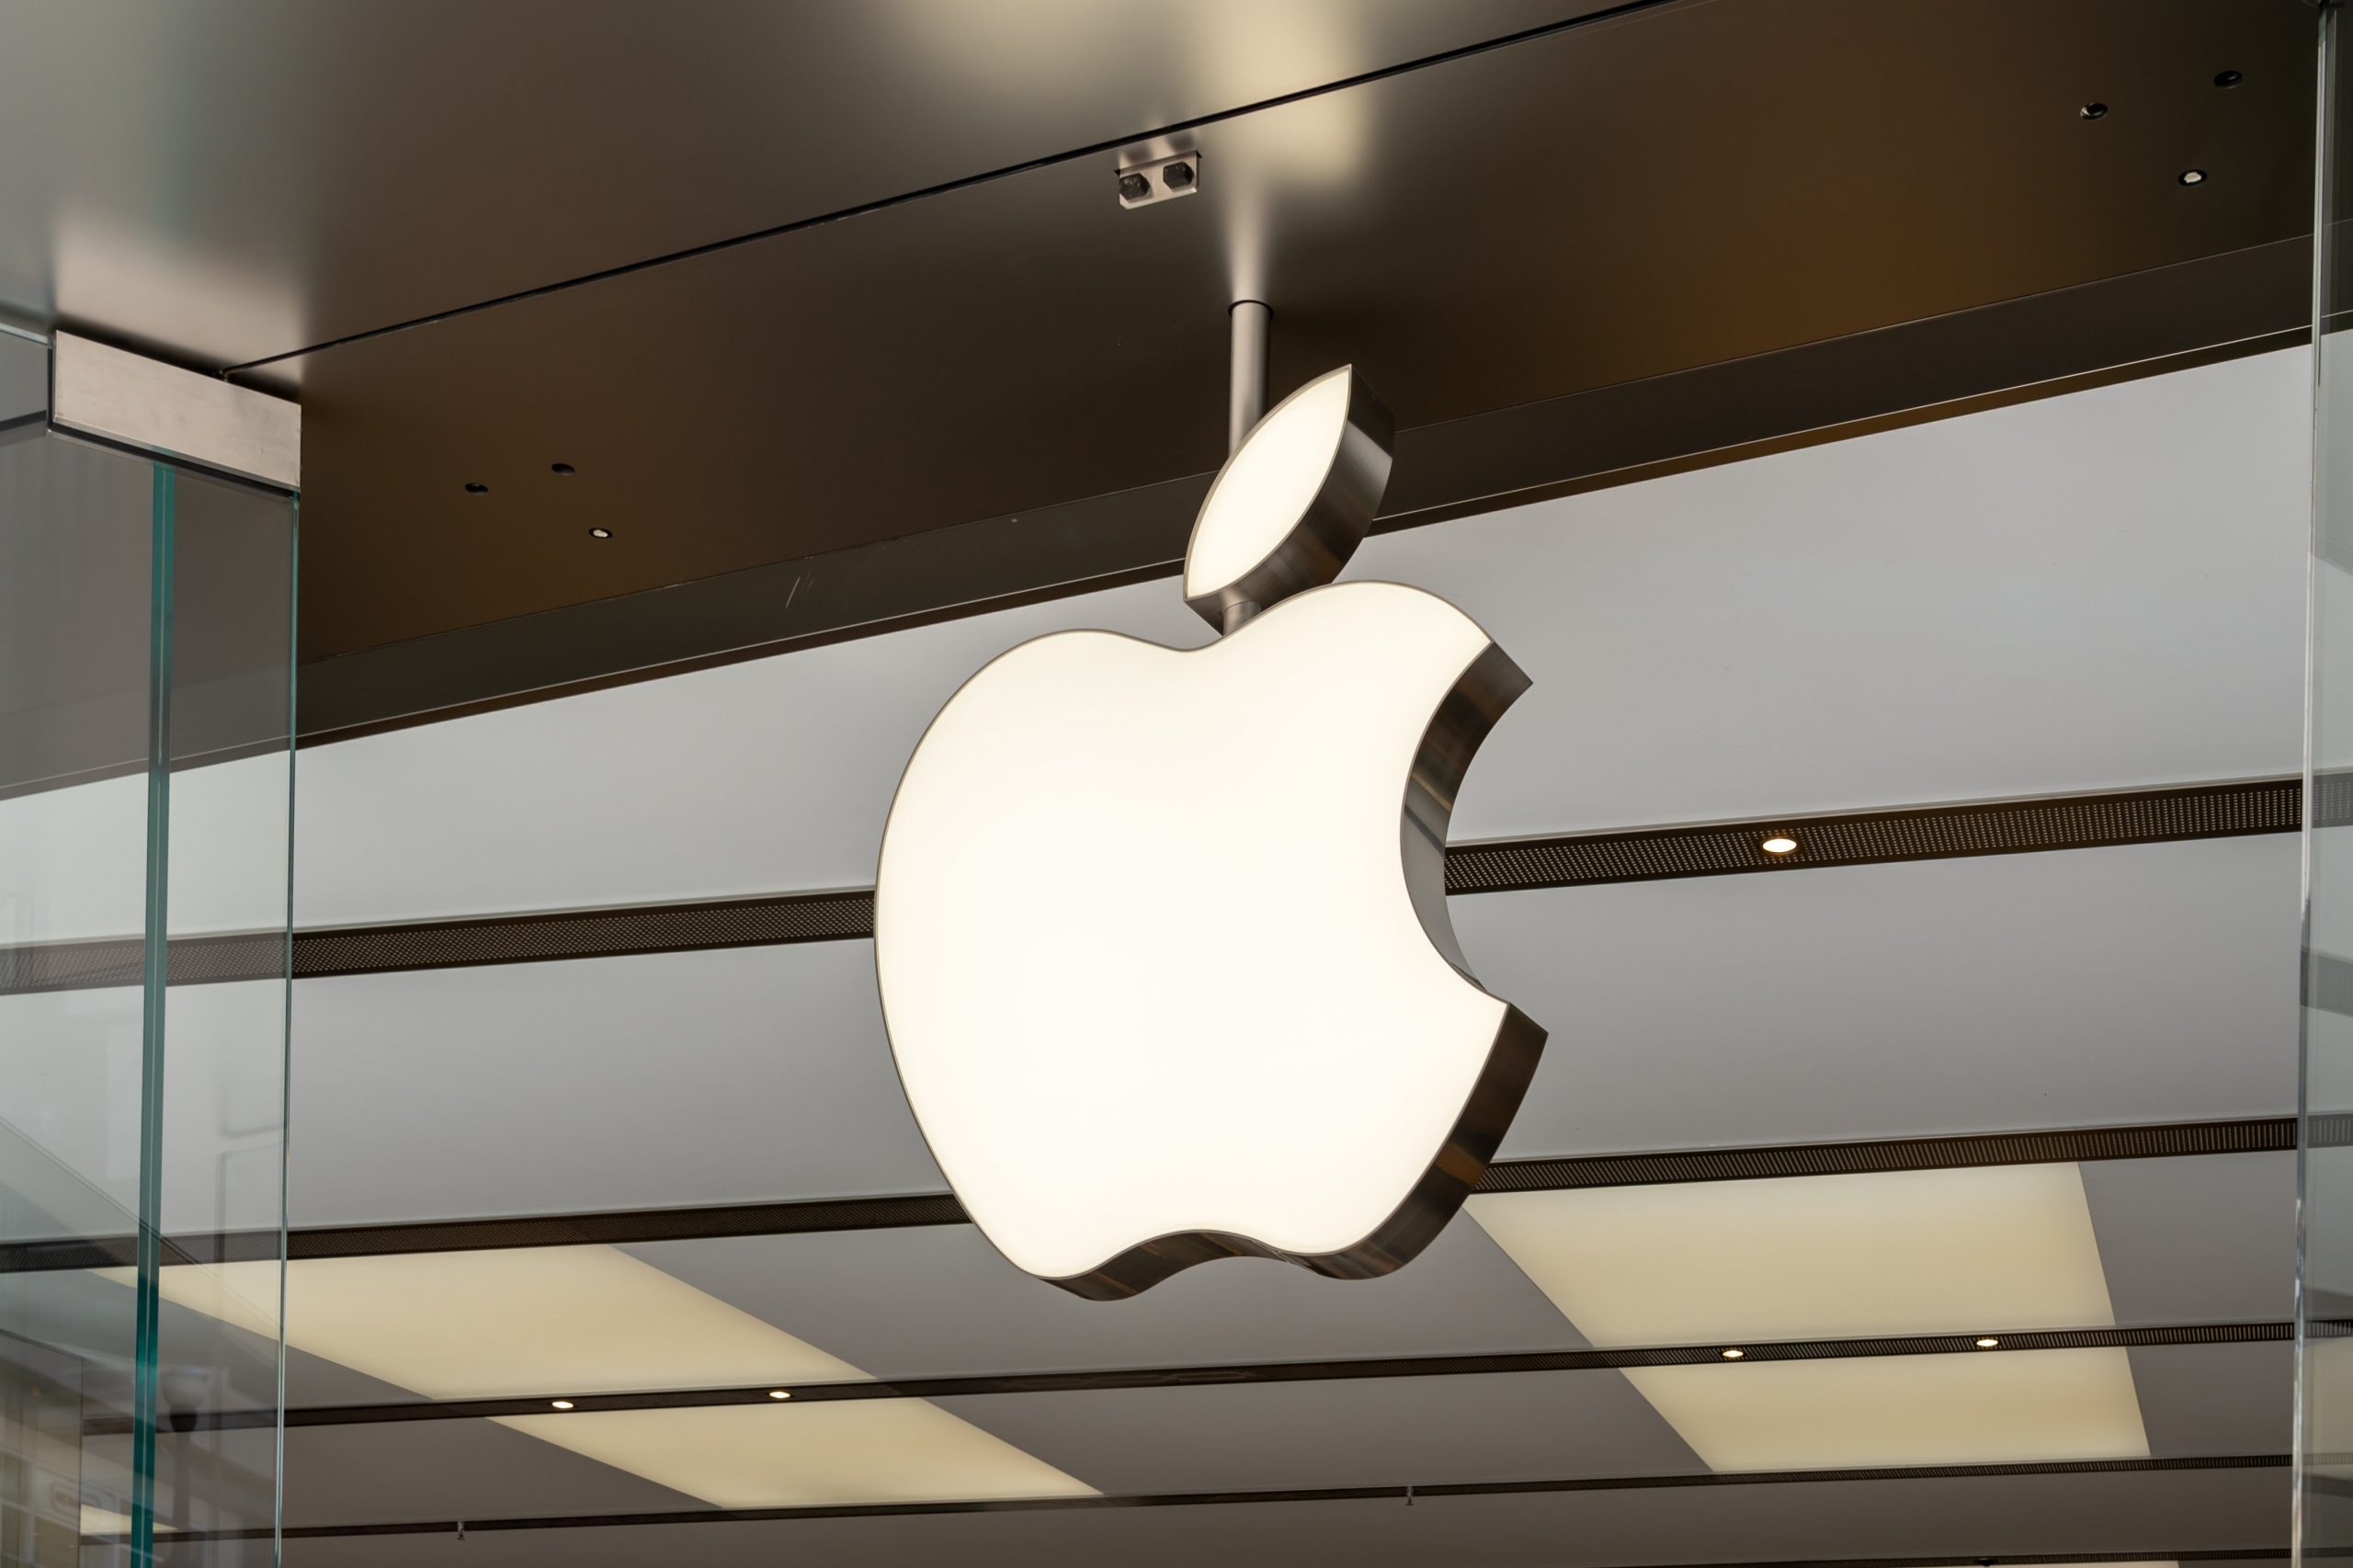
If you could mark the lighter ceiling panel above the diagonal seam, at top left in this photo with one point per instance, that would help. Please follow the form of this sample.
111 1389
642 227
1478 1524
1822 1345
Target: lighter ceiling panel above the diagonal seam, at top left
251 178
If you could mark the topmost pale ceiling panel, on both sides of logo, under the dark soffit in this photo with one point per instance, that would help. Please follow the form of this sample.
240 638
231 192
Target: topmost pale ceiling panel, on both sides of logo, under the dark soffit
2081 592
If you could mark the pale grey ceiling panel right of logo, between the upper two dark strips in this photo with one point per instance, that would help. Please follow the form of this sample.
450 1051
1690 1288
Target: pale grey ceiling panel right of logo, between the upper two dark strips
2119 985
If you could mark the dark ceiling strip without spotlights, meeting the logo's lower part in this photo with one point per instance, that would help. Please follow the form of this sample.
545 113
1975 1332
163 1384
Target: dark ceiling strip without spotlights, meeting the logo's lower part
1549 1174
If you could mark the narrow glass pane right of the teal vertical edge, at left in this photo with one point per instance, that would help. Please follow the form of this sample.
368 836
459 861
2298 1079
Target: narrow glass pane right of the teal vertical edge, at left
222 1157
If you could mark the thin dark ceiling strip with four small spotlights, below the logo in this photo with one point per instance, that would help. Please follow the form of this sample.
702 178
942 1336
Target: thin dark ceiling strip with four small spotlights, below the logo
1215 1376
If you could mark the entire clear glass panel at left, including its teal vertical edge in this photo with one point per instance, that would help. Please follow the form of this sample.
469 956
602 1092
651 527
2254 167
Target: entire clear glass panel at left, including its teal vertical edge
145 795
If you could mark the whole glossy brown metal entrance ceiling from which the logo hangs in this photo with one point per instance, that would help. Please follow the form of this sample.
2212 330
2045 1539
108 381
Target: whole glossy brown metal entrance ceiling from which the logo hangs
1655 190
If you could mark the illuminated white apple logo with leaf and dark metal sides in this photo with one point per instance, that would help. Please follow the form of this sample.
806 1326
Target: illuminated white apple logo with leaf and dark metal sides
1164 938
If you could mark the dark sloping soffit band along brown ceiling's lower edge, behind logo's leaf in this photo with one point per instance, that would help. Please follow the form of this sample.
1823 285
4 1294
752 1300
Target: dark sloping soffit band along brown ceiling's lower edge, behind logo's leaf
2020 350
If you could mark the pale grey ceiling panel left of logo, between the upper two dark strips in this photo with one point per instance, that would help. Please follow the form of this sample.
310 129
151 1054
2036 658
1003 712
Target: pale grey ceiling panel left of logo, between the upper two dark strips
615 1084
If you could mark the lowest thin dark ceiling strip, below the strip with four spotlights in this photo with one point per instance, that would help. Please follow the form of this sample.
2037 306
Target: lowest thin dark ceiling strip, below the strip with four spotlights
1307 1494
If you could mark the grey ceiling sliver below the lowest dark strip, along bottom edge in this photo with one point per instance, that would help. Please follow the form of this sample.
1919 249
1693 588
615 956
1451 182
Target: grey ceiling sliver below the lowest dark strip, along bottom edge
1742 1524
